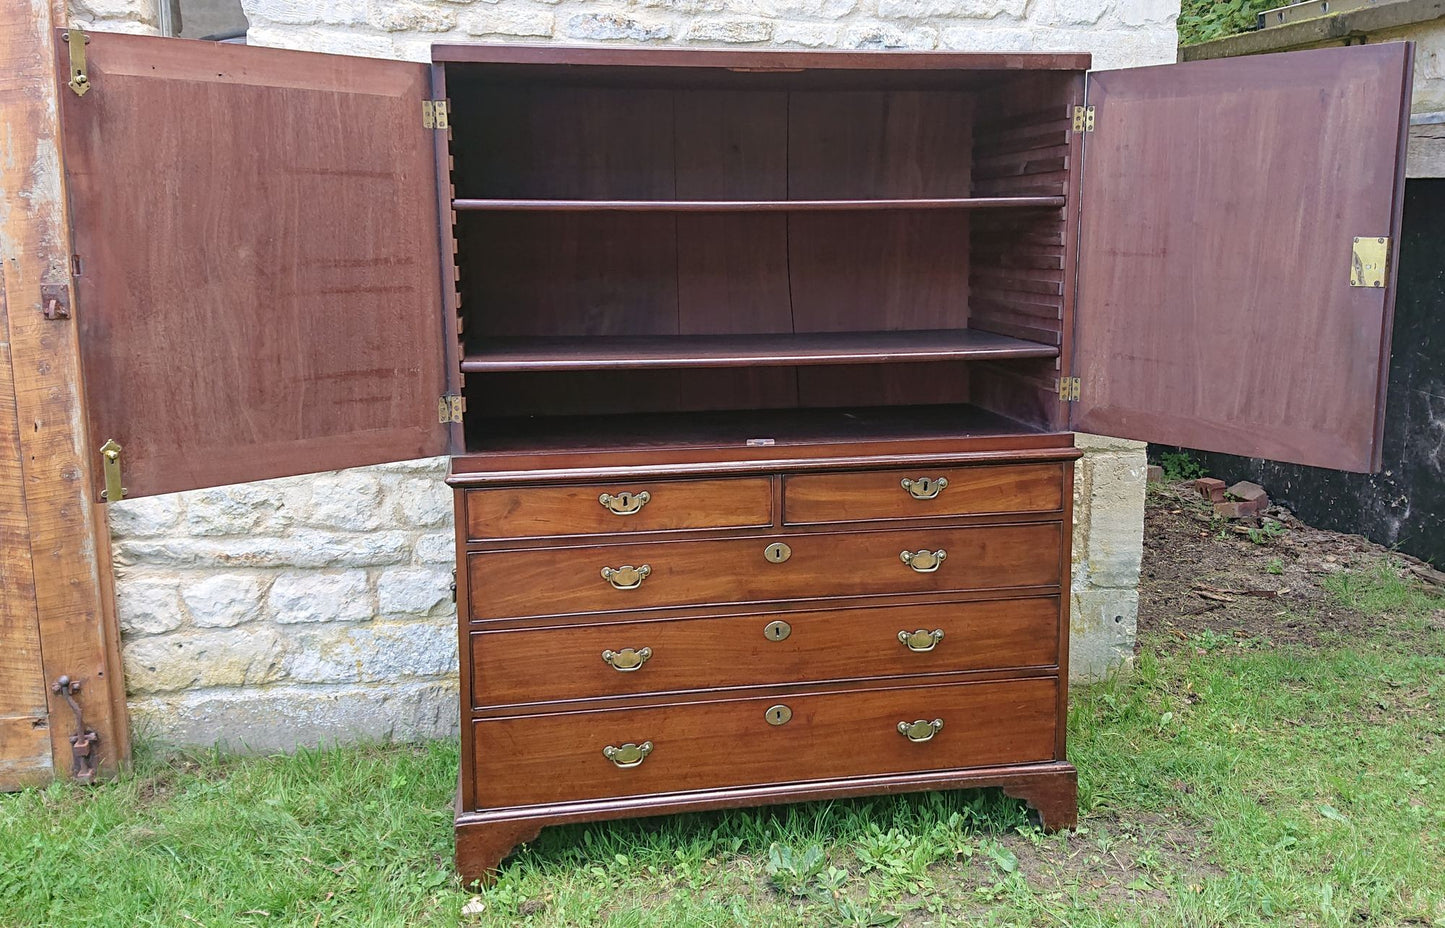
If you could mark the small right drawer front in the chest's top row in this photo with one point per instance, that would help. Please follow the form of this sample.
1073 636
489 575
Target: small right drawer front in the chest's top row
928 492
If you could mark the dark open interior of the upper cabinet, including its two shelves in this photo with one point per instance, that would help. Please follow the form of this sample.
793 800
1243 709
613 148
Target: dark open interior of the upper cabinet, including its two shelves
645 254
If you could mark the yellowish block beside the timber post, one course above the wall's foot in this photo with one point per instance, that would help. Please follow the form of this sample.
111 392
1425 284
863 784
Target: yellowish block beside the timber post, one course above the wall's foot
225 658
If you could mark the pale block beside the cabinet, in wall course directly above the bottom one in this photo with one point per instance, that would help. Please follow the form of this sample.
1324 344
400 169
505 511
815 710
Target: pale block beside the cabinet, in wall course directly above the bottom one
375 654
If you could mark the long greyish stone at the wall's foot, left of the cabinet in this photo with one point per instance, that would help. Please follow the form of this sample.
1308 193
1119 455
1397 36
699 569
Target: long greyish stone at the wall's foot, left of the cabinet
288 718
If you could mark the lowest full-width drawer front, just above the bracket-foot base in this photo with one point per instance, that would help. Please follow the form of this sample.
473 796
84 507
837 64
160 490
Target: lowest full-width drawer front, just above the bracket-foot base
525 761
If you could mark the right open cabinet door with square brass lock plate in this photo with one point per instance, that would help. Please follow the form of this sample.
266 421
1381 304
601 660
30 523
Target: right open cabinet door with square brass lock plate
1220 210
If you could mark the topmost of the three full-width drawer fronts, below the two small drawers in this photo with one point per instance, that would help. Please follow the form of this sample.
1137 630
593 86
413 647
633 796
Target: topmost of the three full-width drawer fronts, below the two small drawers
545 582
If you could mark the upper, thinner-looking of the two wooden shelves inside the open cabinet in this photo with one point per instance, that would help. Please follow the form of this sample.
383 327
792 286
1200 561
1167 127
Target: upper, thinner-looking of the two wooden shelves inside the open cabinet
752 206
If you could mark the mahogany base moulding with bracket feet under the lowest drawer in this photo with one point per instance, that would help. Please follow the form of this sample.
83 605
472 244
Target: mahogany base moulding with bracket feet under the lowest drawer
485 839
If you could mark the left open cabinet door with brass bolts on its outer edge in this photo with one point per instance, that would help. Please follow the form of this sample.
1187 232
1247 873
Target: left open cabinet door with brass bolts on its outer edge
256 257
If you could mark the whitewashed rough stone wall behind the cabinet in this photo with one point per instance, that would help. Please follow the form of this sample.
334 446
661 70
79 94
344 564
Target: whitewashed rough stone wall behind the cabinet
317 609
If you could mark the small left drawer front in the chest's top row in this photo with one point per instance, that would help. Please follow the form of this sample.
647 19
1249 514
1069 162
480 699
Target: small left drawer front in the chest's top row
647 507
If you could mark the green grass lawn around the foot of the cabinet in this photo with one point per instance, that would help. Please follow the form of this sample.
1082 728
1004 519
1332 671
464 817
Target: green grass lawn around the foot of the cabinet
1225 786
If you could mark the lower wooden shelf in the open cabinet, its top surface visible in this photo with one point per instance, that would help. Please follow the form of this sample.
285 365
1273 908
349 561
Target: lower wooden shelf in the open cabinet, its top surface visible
676 352
